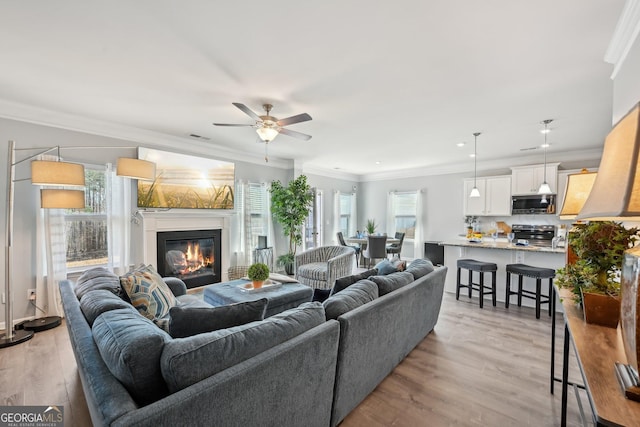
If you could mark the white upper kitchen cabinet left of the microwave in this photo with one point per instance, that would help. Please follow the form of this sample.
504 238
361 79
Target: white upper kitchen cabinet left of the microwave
494 200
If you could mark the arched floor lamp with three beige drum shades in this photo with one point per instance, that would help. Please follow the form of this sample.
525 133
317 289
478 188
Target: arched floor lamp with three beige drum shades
46 173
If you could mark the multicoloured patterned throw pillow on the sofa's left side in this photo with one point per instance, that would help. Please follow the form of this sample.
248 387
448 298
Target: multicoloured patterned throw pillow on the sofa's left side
148 292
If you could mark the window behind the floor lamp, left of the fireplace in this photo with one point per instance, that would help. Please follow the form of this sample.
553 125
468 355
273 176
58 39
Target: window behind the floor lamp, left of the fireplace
86 229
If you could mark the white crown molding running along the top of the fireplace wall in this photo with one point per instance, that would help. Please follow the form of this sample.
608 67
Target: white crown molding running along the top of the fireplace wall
28 114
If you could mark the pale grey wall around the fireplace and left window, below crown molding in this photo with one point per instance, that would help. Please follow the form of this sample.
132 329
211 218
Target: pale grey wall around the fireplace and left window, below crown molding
26 196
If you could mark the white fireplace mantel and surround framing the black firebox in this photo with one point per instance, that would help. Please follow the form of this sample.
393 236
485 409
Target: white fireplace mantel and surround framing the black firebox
153 222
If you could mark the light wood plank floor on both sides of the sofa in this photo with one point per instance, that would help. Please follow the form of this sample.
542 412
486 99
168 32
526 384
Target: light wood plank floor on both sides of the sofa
486 367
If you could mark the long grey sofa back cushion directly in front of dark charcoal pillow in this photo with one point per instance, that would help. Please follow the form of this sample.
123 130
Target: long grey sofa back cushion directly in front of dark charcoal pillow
186 361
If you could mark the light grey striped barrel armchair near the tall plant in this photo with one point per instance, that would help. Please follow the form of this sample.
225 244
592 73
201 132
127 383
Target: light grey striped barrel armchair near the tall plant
320 267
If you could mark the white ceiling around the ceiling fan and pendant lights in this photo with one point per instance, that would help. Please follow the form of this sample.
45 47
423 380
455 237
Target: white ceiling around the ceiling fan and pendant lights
398 83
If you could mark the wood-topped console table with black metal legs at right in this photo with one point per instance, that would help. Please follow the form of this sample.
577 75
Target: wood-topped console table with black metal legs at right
597 349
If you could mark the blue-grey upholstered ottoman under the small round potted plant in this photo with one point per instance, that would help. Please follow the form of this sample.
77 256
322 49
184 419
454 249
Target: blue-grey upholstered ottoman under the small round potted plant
281 298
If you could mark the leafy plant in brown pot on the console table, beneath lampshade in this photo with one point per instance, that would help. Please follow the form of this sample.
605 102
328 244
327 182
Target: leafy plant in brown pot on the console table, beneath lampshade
594 278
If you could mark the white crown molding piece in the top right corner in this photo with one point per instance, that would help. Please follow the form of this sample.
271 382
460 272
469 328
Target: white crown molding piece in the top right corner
624 35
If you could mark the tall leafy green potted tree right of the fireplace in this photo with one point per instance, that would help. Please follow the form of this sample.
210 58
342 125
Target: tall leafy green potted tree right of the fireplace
290 207
